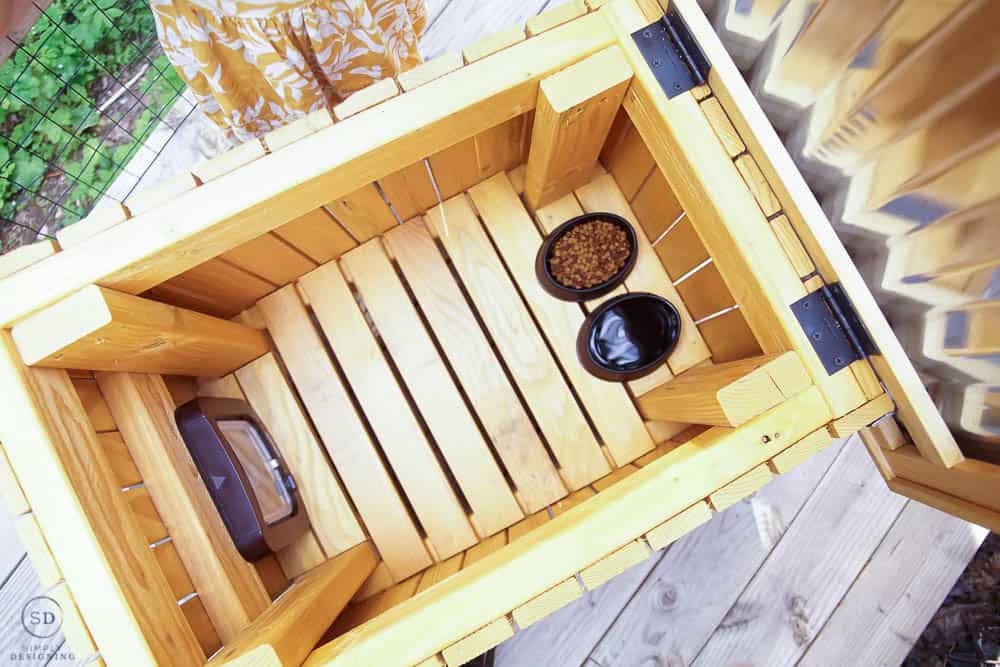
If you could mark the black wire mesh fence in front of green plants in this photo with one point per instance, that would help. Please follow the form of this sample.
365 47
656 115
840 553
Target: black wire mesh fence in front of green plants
81 95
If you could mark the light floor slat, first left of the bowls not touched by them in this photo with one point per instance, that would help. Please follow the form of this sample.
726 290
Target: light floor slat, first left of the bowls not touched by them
519 342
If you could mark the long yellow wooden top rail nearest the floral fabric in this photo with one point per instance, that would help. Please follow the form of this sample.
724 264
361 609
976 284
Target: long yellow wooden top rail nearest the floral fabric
289 183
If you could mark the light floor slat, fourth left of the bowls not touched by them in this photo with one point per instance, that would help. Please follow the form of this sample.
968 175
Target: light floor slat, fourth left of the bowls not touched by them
387 410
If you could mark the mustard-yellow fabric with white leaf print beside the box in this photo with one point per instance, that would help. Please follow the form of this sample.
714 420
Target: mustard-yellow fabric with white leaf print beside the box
255 65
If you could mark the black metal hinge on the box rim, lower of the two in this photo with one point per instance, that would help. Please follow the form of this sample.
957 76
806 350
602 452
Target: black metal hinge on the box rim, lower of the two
832 324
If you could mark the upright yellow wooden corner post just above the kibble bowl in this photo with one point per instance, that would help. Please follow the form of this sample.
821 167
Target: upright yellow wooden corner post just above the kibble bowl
575 110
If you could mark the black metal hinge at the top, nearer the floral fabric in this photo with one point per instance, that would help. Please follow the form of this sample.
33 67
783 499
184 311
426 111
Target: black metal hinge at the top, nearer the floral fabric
672 53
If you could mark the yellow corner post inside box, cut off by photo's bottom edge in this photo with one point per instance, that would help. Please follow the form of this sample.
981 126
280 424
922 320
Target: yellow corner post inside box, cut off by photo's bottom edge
296 621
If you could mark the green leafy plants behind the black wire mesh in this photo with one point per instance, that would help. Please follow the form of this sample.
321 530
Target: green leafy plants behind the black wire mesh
67 62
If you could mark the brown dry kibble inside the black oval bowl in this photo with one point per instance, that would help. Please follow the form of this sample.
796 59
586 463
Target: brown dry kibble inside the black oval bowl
589 254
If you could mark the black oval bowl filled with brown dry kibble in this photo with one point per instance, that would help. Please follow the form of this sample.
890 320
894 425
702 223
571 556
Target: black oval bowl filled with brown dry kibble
586 257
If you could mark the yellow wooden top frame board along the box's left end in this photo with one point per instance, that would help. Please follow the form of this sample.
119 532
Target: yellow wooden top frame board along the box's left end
102 555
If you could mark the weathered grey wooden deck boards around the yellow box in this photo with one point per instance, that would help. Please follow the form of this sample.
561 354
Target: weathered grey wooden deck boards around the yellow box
823 566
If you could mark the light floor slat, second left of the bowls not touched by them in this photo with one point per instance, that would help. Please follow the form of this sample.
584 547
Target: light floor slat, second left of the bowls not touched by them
491 394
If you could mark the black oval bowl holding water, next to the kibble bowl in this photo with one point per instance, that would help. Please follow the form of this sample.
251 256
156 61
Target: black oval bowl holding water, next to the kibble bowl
628 336
